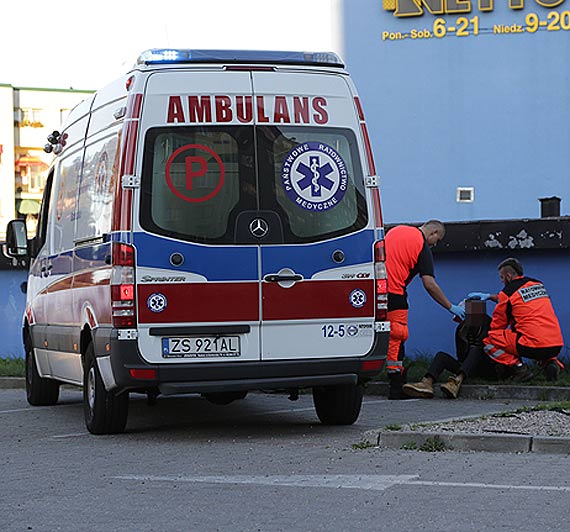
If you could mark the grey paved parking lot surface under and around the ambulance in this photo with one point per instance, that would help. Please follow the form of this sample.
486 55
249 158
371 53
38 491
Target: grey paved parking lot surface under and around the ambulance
263 463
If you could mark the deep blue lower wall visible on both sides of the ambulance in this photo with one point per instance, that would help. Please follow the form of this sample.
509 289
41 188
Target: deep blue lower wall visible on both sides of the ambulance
431 327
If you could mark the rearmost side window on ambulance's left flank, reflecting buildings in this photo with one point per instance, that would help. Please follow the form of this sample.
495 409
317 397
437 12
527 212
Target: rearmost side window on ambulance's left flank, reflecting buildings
96 190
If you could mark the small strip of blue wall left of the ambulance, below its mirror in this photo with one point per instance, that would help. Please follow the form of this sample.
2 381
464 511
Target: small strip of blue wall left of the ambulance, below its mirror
12 306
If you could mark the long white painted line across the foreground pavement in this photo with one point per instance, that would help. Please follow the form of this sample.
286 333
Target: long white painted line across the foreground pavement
364 482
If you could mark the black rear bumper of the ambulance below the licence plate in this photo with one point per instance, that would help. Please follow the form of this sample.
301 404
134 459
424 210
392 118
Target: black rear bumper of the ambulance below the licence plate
209 377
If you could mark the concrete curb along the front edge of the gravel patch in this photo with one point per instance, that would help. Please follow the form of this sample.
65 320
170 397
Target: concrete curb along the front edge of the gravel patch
495 443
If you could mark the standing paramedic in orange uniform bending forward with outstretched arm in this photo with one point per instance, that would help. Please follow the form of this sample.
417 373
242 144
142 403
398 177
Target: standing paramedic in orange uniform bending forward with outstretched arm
407 254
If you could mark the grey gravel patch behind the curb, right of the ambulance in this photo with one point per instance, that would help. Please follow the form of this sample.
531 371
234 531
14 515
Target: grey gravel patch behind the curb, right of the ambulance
533 423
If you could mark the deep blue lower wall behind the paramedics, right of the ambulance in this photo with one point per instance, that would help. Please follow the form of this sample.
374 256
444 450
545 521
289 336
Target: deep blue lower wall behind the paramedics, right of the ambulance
432 328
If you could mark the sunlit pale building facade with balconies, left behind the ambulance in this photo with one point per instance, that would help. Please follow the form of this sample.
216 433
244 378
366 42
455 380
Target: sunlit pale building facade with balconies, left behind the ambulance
27 116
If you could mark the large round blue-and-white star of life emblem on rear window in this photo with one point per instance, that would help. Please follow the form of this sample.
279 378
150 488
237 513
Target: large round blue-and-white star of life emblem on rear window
314 176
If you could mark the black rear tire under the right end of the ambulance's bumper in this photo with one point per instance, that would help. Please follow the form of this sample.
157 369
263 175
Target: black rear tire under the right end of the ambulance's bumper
338 405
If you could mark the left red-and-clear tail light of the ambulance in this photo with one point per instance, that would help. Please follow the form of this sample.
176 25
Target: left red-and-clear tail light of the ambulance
123 286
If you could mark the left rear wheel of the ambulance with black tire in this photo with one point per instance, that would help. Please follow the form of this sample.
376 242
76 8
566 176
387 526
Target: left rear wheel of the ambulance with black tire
105 412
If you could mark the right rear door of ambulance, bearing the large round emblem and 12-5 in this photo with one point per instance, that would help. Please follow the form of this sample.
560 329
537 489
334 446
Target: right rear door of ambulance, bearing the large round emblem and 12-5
314 225
